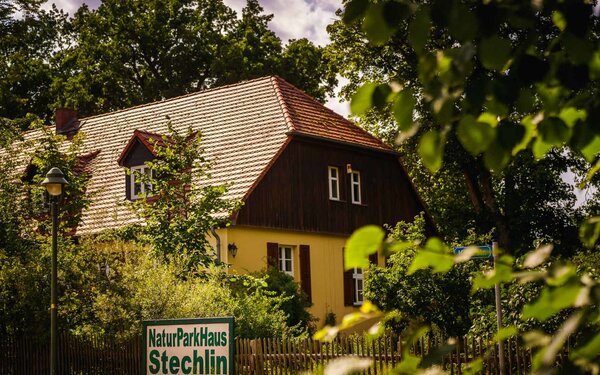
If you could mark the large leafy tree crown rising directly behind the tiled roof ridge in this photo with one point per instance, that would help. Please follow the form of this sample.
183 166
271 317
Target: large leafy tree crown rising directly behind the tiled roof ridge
132 52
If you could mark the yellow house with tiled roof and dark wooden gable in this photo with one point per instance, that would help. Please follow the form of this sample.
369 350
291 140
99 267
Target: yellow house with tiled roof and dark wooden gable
307 176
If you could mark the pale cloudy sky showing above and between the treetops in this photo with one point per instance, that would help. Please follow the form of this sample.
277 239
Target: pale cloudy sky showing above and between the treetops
293 19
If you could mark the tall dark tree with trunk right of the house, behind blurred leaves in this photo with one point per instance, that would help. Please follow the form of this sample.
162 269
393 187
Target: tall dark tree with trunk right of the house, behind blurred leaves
461 191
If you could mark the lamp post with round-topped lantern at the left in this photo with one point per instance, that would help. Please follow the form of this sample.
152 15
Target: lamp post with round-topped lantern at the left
54 183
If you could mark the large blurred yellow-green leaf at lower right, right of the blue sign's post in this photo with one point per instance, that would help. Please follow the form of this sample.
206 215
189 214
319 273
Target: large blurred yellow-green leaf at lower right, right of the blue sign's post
551 301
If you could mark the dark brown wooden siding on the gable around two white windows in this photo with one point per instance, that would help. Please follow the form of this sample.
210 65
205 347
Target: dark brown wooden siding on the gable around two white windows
294 193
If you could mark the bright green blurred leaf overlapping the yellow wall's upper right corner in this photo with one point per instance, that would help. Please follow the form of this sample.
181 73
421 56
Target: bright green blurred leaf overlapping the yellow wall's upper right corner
363 242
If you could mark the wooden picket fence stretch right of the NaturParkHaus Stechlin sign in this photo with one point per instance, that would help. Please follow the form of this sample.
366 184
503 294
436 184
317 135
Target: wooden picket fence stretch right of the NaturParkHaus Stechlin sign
292 356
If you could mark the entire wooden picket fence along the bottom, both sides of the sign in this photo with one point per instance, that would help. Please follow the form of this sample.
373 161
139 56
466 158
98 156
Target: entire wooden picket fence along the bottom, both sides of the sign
30 356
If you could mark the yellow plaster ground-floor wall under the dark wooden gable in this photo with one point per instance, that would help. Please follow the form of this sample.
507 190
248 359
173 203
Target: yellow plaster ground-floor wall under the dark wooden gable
326 261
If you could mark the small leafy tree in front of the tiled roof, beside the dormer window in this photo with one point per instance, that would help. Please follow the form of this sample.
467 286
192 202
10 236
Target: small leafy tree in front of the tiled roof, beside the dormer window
182 208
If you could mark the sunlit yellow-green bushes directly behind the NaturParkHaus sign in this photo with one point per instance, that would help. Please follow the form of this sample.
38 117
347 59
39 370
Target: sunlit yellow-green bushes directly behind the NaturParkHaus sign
138 286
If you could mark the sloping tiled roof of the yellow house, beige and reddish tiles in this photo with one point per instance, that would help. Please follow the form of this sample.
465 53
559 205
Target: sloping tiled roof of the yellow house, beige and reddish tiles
243 126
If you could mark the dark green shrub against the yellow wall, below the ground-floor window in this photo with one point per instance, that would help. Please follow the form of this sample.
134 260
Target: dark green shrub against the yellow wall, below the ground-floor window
294 303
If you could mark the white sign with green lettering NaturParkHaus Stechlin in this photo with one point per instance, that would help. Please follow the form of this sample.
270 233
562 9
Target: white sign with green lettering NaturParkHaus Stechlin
188 346
